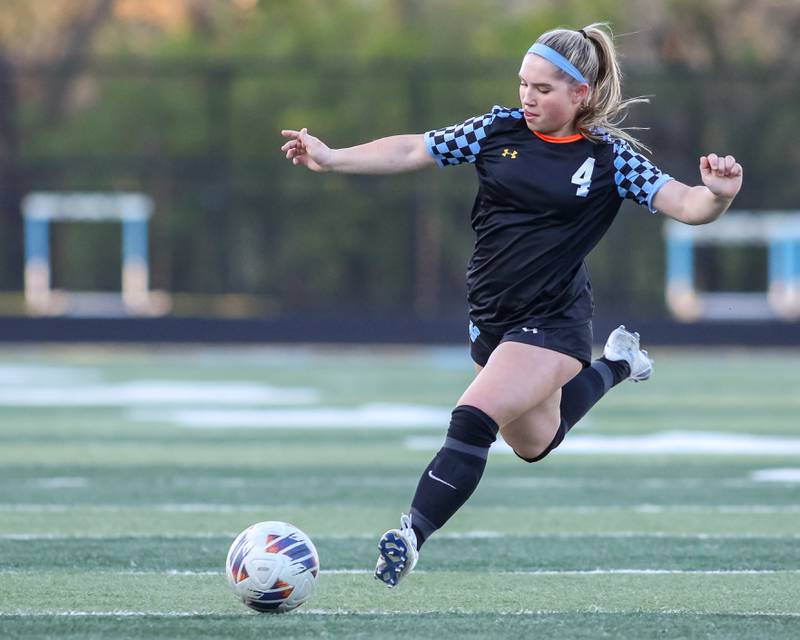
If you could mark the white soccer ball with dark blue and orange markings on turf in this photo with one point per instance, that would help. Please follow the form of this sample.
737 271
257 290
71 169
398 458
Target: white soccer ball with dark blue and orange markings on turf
272 567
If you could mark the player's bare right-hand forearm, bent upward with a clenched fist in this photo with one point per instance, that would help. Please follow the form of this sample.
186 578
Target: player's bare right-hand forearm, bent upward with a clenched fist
722 179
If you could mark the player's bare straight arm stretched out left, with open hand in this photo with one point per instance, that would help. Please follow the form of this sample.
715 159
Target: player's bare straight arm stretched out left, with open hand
396 154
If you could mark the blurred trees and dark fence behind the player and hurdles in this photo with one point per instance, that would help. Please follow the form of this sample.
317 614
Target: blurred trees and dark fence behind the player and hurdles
185 99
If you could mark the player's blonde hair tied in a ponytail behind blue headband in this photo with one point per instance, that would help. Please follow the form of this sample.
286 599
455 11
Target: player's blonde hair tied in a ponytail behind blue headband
595 56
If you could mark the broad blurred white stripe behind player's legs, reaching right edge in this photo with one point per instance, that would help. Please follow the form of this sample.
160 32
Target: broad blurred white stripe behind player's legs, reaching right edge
667 442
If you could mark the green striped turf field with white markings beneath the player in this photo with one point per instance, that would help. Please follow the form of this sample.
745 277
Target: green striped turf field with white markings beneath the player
125 474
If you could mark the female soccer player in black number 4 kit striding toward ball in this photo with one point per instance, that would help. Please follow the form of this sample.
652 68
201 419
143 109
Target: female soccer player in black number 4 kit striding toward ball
552 175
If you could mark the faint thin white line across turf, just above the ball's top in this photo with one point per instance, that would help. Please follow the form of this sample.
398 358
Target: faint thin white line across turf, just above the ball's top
193 507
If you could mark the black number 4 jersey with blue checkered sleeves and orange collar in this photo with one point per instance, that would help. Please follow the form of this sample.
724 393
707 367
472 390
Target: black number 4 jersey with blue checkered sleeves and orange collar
543 204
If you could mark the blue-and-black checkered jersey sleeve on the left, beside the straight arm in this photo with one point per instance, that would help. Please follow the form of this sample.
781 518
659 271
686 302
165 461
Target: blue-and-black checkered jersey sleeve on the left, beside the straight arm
462 142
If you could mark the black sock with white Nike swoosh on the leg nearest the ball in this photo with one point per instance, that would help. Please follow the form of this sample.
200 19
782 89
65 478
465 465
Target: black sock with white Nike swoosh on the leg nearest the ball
454 473
